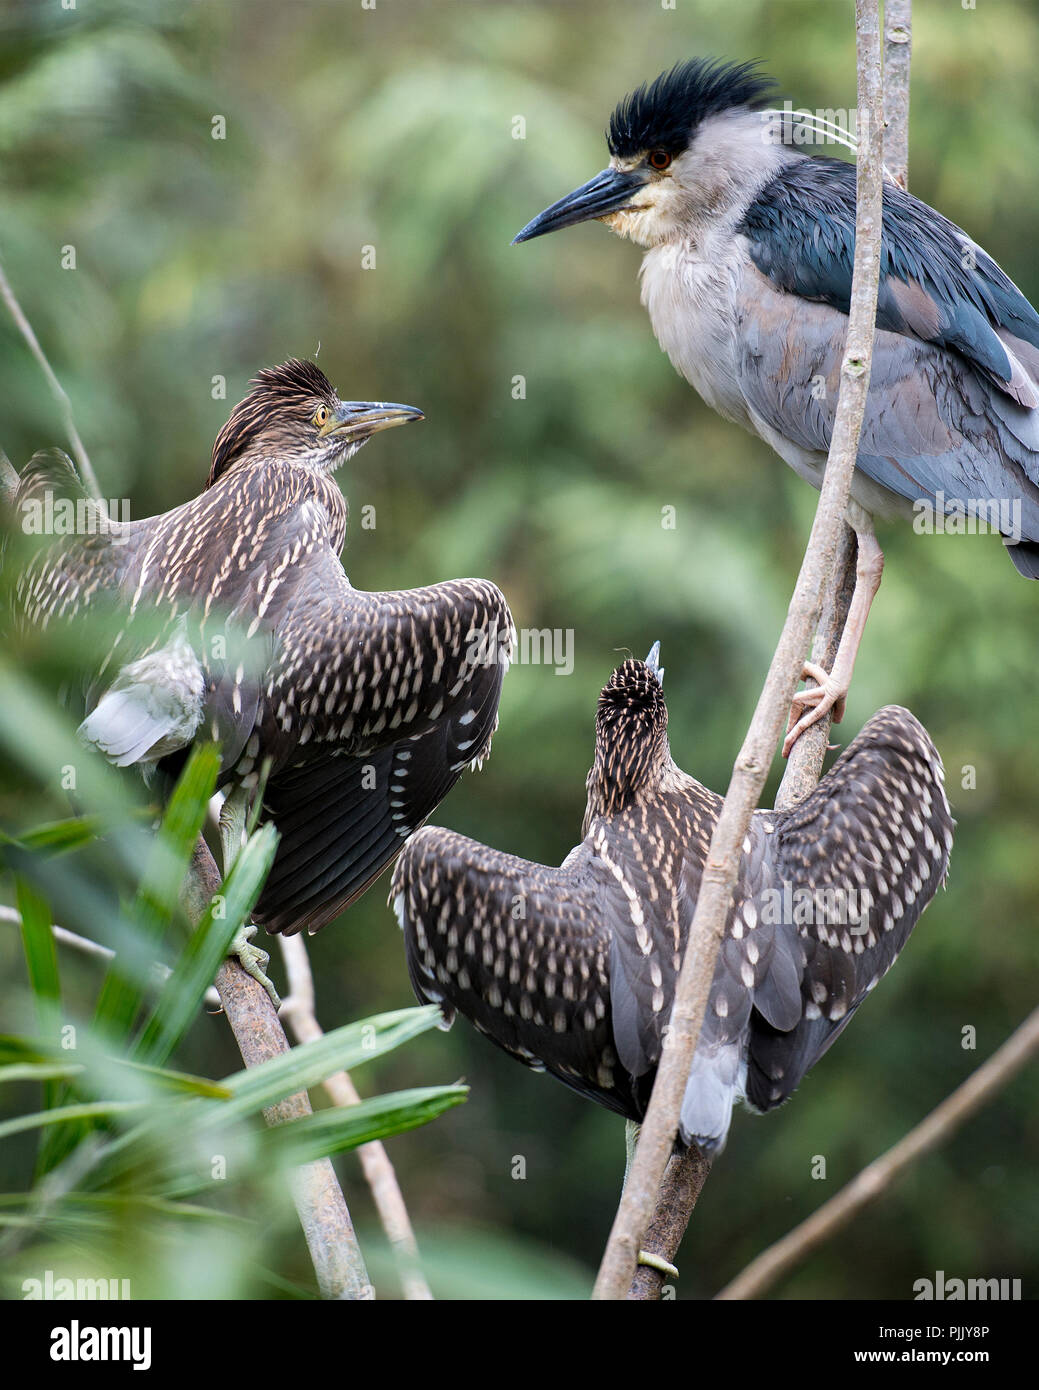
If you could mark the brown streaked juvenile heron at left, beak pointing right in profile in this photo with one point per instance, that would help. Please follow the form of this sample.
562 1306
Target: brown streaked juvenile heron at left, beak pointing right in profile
354 712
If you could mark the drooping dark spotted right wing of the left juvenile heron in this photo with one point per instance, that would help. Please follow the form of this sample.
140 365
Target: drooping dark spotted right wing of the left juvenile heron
373 710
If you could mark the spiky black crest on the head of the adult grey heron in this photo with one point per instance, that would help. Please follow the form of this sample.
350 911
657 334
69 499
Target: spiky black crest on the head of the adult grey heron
664 113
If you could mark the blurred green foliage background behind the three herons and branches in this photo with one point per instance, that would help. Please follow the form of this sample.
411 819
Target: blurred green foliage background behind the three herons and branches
385 138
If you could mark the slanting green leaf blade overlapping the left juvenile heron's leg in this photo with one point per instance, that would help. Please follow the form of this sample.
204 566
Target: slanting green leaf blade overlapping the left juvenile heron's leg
183 993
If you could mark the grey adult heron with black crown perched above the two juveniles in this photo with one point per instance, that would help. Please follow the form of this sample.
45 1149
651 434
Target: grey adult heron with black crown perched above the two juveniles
748 279
